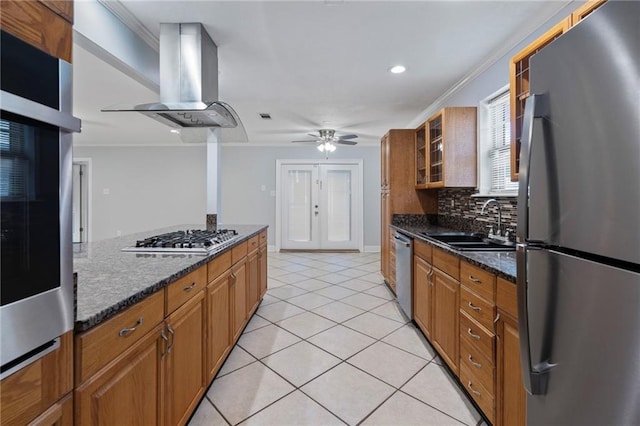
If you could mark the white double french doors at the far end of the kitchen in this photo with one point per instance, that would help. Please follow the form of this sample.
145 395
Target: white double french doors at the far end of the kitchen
320 206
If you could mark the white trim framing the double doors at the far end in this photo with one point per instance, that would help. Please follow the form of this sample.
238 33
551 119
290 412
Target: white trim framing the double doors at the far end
359 199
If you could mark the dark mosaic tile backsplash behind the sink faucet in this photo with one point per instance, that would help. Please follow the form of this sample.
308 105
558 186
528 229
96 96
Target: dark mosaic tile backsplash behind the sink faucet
458 210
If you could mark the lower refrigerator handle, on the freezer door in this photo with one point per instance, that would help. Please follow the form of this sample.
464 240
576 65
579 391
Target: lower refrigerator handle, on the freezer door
535 376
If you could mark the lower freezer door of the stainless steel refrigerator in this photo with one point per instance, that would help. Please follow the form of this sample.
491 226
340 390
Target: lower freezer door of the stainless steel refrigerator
583 324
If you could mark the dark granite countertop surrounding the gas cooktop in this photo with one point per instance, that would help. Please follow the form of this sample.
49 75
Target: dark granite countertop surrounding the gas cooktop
110 280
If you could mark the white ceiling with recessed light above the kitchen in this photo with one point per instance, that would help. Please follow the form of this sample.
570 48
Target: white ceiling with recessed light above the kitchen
313 64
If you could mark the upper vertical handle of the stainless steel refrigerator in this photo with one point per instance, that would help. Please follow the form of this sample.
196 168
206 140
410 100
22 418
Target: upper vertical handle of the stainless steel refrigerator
535 107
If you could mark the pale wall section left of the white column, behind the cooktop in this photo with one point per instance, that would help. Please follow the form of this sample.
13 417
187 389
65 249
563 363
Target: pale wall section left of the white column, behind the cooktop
149 187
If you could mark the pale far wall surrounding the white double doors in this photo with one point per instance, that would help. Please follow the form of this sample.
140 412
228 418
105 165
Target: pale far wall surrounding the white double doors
246 168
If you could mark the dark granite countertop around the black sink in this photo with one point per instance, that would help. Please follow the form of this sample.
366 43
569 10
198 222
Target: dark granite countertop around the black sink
500 263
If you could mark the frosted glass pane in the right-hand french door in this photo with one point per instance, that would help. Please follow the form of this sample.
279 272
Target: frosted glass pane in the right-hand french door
338 187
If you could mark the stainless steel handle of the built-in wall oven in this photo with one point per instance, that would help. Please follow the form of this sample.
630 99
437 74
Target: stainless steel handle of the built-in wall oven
30 109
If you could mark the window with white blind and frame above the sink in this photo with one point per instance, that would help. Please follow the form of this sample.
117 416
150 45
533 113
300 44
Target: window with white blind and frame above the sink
494 159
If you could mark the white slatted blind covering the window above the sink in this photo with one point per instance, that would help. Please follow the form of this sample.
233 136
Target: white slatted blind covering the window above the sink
499 153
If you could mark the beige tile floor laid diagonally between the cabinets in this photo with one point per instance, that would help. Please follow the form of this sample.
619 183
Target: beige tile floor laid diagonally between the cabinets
329 345
